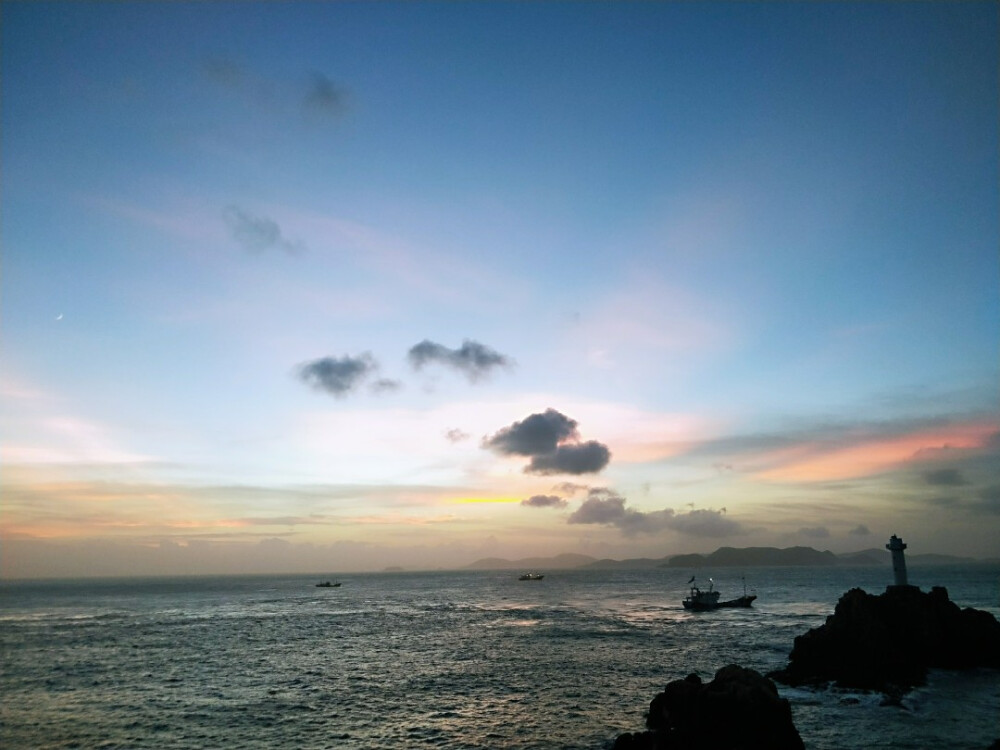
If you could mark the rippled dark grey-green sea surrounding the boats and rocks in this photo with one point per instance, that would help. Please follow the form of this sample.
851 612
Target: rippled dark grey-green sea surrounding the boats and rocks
463 660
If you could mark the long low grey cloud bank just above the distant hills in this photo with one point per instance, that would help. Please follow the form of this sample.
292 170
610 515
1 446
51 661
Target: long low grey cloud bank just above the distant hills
607 508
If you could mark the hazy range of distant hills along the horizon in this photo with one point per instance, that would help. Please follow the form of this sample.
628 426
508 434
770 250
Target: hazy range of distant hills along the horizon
722 557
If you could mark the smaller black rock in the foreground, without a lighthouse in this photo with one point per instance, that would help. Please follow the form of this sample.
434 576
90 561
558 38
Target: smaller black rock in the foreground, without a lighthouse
740 708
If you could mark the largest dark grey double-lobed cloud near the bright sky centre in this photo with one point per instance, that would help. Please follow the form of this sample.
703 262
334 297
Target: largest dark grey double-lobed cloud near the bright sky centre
551 440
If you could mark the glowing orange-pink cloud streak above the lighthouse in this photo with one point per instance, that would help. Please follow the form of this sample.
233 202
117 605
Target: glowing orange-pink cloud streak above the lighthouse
812 462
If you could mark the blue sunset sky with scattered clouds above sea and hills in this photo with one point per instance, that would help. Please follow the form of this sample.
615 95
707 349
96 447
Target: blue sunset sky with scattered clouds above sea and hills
296 287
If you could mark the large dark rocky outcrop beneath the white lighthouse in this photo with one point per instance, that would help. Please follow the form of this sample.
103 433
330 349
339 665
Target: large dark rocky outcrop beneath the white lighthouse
887 642
